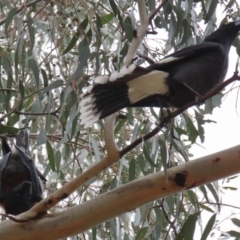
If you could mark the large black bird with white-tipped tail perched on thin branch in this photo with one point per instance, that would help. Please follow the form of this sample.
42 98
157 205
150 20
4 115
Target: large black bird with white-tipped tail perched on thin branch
172 82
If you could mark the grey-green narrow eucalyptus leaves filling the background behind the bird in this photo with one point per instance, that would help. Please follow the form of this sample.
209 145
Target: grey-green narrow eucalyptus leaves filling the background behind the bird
52 50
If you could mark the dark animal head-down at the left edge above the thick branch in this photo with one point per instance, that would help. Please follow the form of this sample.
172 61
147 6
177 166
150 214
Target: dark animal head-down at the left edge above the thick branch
20 184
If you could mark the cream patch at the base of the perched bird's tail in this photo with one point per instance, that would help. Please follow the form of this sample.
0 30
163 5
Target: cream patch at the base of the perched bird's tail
147 85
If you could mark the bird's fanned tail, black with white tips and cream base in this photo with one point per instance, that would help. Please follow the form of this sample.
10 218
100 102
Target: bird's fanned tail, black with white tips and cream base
119 90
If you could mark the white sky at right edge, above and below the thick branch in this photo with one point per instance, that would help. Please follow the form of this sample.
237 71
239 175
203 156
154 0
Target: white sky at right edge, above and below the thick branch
223 134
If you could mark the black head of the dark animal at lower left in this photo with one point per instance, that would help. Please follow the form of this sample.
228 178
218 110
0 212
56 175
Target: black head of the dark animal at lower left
19 199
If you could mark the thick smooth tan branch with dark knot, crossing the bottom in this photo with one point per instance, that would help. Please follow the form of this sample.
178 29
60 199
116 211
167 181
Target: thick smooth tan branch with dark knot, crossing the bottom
126 198
